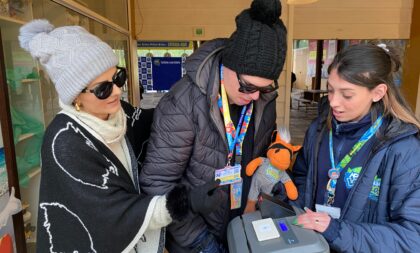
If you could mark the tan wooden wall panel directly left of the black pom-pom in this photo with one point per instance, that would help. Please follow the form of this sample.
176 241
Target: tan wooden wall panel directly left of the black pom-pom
176 20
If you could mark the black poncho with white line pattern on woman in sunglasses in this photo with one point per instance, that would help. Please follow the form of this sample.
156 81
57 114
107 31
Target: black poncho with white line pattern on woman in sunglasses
88 202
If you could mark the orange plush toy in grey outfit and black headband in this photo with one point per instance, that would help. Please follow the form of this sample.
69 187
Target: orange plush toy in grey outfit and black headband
272 169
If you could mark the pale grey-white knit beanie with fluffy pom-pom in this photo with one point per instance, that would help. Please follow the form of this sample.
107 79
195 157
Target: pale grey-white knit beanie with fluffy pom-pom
71 55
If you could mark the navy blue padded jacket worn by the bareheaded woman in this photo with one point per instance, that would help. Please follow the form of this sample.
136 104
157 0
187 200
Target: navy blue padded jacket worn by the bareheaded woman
390 222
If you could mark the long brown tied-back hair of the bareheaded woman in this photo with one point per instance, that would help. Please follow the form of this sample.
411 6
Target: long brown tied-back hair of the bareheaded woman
369 65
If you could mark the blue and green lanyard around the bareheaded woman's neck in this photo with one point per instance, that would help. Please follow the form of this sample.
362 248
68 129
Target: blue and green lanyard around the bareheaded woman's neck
334 172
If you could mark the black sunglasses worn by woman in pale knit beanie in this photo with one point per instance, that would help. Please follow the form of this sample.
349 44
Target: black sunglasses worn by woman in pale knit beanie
104 89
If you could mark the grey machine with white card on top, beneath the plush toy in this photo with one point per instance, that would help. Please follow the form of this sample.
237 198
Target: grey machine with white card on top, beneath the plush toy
244 235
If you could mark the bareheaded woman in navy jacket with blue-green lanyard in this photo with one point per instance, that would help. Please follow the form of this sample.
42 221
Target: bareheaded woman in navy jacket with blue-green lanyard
358 175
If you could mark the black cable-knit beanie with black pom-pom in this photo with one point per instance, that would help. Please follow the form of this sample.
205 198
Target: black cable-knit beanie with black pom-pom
258 46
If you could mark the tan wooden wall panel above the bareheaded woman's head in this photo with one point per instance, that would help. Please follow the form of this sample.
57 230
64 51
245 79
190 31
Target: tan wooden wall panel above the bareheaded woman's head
356 19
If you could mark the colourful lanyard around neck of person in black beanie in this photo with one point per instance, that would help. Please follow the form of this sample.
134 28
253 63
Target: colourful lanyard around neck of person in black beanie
234 135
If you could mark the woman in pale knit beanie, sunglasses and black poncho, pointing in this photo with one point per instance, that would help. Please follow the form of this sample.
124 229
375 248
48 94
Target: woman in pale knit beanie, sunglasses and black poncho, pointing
90 199
